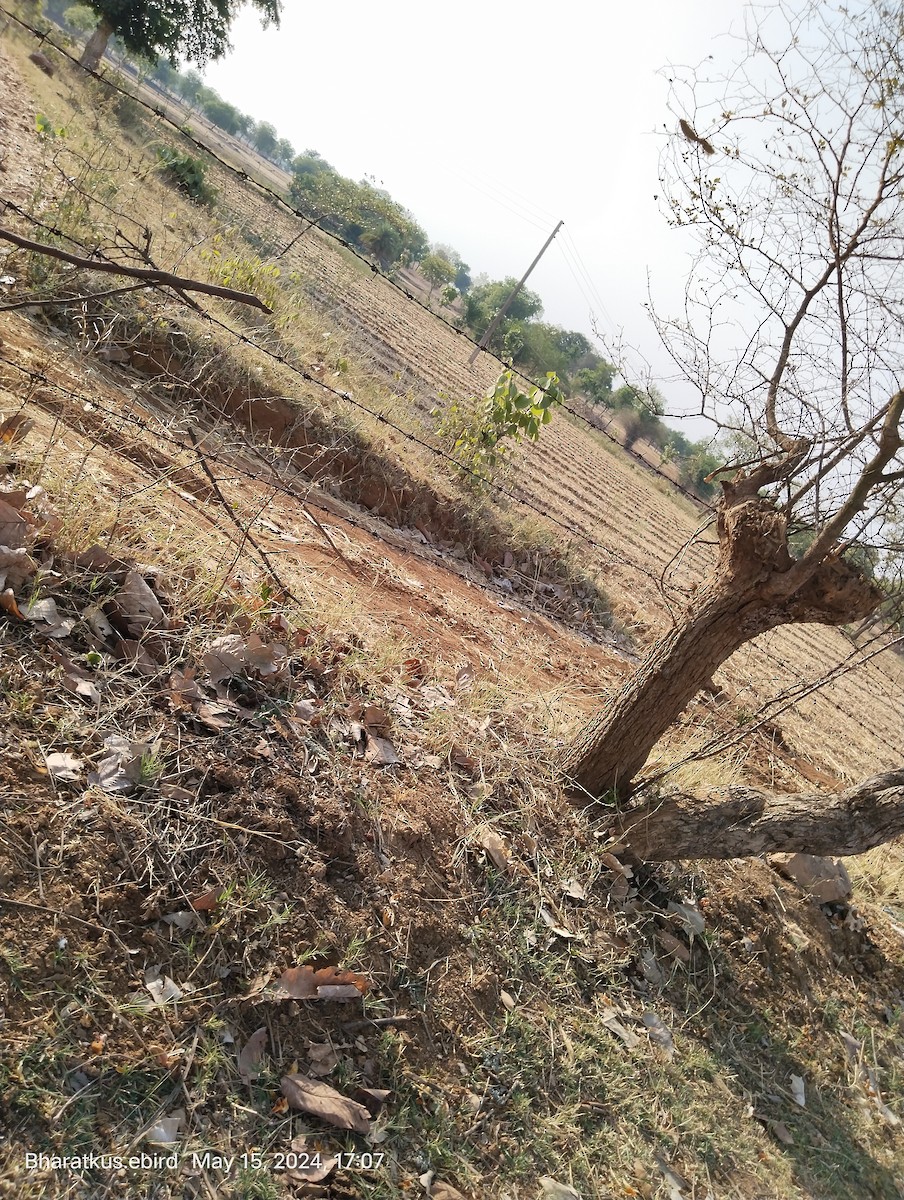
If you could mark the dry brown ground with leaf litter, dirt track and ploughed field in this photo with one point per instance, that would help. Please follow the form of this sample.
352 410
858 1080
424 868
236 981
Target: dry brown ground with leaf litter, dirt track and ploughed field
516 965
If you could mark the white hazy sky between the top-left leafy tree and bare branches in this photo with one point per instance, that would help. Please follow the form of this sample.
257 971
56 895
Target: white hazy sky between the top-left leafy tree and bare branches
492 121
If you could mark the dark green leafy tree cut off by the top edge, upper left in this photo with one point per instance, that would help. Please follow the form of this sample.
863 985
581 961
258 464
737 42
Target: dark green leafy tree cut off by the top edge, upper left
197 31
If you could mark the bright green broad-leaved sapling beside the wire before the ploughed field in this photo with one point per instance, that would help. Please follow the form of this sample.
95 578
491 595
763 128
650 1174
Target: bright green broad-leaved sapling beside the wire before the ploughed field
483 433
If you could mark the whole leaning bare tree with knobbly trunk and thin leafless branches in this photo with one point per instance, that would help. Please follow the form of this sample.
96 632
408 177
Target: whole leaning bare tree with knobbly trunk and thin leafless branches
793 337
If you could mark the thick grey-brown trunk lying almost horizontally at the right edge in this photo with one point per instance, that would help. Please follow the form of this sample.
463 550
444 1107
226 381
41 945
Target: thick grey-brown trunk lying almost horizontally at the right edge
737 823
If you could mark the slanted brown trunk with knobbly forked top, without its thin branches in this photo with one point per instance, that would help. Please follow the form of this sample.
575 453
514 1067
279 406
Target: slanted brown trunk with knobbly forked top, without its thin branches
756 589
